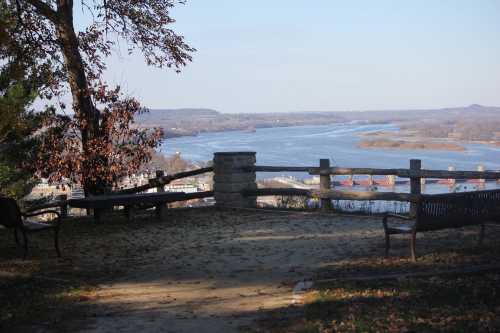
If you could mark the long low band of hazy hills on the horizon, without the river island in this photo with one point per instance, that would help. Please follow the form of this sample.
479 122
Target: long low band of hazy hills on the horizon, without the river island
192 121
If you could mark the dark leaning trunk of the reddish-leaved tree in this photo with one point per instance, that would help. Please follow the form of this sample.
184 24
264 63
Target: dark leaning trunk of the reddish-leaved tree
82 101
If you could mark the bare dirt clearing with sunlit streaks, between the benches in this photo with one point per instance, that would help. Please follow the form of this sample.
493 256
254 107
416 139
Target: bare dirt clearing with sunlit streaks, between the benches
204 270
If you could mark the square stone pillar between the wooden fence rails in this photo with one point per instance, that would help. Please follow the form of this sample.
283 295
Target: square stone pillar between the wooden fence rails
230 179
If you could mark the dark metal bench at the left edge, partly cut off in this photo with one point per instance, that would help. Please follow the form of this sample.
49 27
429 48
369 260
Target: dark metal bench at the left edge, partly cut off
12 217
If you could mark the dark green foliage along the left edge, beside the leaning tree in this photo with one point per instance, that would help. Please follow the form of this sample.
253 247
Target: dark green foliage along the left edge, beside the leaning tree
18 123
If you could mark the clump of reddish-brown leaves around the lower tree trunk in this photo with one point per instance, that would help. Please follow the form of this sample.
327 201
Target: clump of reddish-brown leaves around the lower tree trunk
118 151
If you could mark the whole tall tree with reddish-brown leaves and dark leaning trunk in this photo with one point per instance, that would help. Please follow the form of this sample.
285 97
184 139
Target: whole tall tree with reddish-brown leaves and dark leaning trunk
98 144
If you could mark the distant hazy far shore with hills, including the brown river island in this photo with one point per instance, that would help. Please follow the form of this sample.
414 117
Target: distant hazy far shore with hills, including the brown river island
473 124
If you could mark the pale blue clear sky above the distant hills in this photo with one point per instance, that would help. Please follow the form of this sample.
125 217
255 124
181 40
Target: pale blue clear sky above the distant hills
325 55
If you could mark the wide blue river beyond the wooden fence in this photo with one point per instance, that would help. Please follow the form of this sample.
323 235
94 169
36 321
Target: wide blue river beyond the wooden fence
305 145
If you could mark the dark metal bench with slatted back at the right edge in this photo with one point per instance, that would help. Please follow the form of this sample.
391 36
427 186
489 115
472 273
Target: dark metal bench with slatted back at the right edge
444 211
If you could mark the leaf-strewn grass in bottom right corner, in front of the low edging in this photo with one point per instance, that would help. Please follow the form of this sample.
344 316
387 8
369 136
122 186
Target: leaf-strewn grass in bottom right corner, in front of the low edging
434 304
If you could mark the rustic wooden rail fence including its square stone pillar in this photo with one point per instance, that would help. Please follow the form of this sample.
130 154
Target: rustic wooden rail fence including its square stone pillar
235 183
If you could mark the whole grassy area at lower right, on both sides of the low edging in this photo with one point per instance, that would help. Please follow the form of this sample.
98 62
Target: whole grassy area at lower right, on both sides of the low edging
350 301
